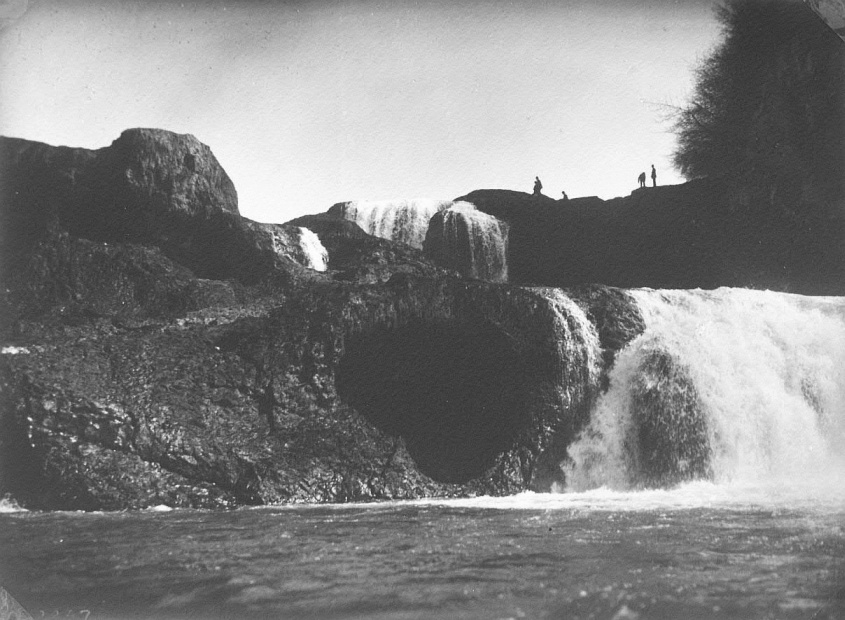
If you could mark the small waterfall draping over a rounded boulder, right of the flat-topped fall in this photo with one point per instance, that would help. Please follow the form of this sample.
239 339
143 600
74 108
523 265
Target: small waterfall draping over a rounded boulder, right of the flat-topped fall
469 241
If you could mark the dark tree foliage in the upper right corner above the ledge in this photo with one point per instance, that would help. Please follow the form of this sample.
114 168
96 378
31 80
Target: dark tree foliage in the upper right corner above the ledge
768 108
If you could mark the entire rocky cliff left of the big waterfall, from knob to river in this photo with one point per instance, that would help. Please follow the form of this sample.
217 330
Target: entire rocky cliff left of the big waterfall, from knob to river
159 348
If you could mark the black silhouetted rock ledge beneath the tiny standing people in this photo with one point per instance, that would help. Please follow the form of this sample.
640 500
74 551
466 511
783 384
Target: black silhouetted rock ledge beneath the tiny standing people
702 234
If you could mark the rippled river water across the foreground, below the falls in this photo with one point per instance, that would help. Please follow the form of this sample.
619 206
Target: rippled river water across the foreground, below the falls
695 552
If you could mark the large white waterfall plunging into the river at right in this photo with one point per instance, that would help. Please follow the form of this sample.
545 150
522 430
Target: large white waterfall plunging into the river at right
736 386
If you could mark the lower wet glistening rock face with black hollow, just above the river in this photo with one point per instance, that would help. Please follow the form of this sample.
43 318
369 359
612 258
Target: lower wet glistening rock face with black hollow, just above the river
292 400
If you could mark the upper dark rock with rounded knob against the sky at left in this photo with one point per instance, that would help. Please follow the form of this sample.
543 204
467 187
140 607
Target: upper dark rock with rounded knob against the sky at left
150 187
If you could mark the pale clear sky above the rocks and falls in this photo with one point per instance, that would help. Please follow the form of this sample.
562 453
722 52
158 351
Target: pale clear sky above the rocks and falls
309 103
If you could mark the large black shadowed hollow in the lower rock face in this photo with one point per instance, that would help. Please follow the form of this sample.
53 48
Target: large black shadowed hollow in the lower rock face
453 391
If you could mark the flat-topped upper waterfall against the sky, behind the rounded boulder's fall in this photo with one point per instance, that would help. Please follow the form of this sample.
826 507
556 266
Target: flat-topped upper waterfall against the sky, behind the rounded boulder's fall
404 221
